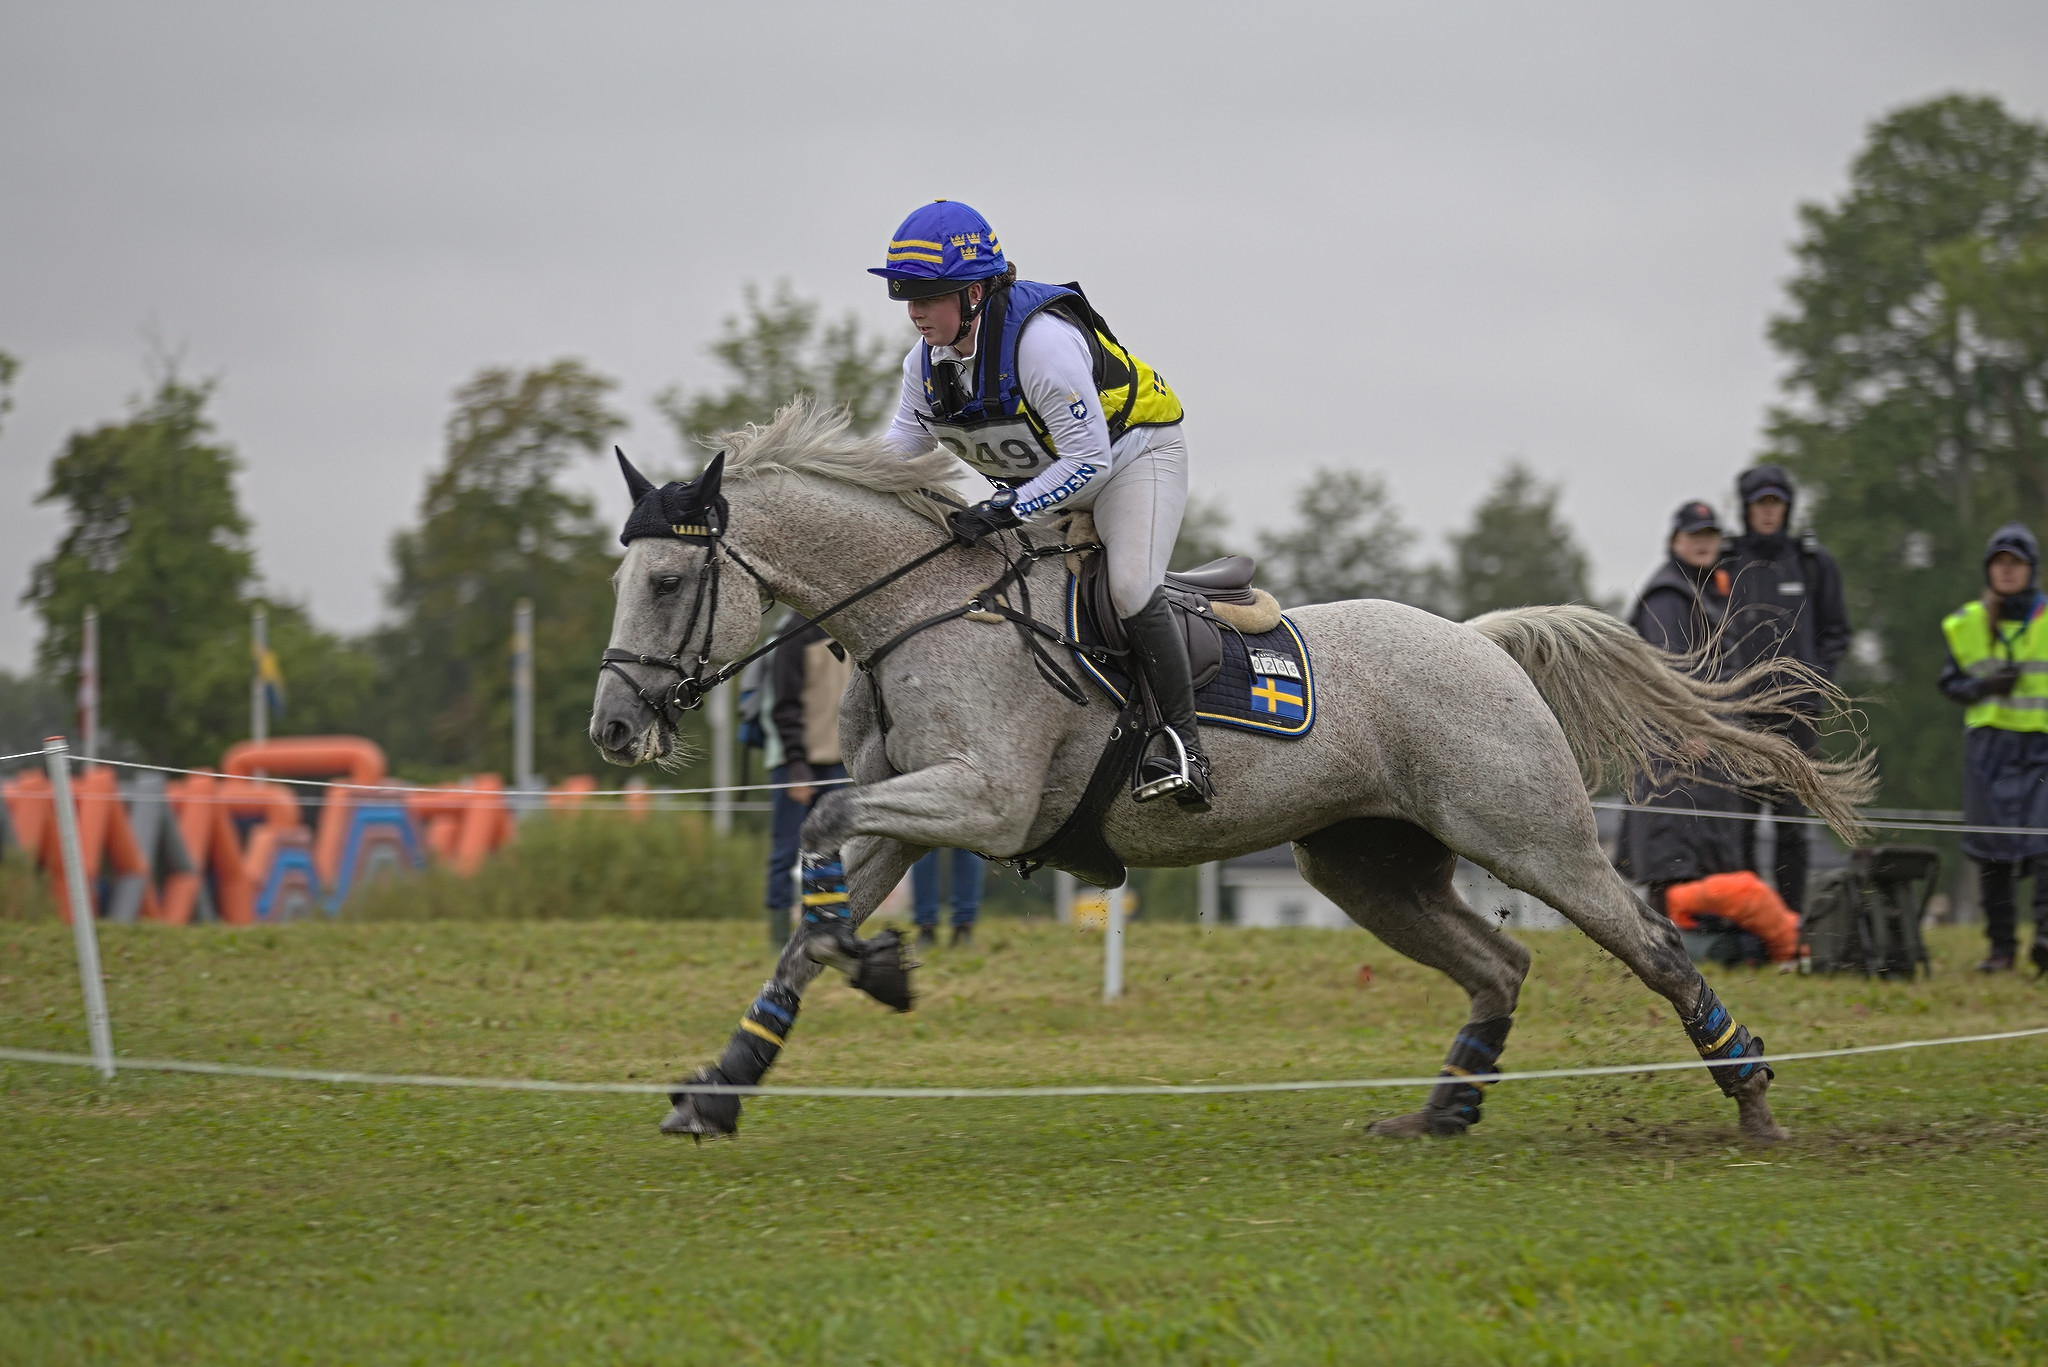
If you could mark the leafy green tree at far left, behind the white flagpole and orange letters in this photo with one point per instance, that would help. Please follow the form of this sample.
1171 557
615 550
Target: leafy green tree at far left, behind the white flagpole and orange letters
157 544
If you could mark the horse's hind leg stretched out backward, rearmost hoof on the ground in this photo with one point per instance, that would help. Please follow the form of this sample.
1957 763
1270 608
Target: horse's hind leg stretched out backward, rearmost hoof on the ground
1586 888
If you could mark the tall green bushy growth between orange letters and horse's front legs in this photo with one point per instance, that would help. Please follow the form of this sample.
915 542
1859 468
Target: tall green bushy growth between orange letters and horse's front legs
583 868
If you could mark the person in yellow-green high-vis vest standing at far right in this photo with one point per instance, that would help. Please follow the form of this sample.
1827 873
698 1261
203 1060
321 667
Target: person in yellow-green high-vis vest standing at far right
1998 669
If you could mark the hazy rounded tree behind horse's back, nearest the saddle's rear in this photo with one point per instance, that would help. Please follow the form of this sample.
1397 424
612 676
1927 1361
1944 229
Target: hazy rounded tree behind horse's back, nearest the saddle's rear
1349 544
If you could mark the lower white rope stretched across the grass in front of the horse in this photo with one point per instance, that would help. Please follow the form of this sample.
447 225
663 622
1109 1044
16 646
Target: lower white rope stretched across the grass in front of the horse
959 1093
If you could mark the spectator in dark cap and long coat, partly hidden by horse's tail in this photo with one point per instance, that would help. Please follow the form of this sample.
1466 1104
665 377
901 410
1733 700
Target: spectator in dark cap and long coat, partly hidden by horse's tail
1682 610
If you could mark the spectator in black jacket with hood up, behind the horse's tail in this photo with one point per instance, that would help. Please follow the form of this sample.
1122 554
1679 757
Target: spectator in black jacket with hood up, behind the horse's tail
1785 604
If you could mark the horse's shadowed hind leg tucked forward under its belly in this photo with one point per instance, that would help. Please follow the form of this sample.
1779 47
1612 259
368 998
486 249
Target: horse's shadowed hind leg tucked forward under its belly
1394 880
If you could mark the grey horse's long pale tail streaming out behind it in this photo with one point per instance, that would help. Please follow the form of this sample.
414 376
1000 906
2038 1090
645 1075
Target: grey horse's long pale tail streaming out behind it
1629 708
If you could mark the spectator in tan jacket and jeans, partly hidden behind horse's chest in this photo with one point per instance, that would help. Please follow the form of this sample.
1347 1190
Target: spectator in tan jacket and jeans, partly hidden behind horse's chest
806 679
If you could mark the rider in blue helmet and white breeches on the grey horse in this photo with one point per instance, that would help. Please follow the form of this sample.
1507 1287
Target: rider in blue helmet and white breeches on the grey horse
1029 386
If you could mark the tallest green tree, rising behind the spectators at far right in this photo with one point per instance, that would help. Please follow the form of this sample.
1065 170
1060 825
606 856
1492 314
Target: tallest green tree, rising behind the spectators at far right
1918 347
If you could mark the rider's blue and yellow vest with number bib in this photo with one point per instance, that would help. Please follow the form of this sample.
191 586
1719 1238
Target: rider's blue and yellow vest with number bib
992 425
